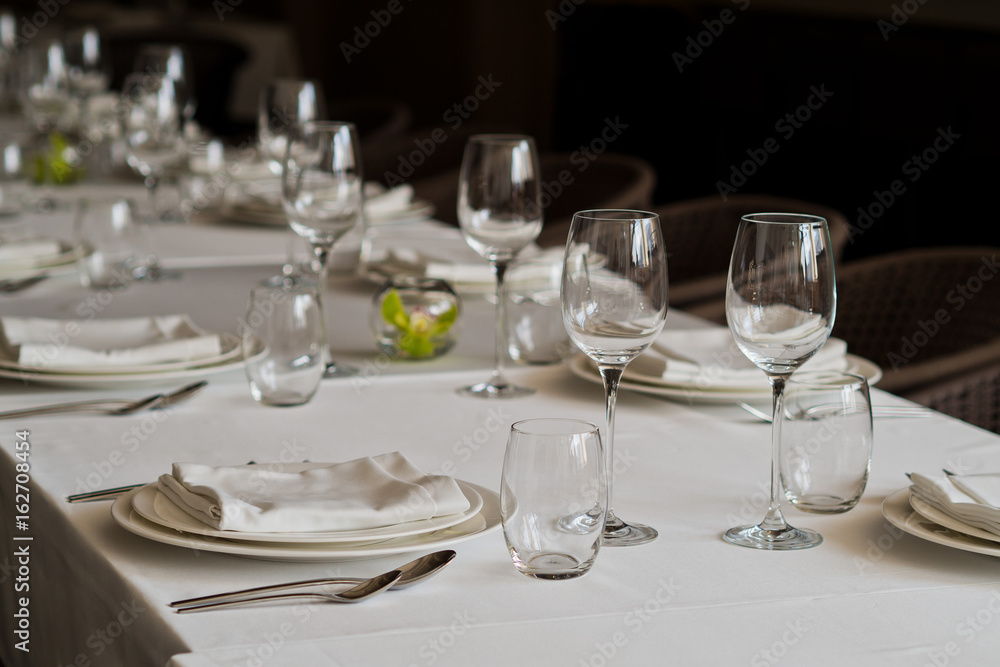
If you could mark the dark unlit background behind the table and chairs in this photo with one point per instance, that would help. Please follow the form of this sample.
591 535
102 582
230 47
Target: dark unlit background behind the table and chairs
566 68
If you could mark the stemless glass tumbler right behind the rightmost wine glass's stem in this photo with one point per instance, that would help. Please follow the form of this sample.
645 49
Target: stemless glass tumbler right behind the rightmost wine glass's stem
826 441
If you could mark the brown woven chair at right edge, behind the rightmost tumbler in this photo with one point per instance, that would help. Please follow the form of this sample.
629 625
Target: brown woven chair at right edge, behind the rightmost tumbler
923 315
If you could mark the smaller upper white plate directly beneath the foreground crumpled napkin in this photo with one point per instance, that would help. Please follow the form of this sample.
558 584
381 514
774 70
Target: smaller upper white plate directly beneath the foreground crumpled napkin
158 508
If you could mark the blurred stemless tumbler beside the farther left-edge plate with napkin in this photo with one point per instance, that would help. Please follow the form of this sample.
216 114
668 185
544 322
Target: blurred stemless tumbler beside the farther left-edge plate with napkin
106 228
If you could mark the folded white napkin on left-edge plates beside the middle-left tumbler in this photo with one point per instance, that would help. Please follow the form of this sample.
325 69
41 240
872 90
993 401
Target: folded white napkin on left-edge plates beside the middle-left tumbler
66 344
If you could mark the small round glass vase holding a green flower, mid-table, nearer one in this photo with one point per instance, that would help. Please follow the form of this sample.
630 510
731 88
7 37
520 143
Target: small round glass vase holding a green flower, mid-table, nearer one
414 317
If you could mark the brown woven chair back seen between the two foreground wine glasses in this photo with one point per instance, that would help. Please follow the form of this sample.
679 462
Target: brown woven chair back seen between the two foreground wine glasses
699 235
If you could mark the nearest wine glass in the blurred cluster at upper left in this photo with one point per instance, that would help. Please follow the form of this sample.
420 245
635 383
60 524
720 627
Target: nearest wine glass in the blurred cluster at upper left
153 139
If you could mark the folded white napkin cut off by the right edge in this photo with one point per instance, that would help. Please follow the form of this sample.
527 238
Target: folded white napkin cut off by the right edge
970 499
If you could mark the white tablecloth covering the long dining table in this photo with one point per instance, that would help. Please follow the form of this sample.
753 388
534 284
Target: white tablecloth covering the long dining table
870 594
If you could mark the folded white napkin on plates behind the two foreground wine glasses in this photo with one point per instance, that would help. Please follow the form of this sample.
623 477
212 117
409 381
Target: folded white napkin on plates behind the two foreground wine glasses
708 358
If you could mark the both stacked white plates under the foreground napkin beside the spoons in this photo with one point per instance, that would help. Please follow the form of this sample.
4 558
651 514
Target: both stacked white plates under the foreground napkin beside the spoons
150 514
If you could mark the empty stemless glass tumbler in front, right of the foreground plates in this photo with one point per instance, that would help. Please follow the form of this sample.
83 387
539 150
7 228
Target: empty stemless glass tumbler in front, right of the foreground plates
553 497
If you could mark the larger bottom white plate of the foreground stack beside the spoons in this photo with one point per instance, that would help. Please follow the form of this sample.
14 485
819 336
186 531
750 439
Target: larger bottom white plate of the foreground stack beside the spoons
486 521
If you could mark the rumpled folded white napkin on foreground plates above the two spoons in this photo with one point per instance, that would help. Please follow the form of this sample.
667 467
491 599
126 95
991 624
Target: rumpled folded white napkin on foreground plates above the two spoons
365 493
